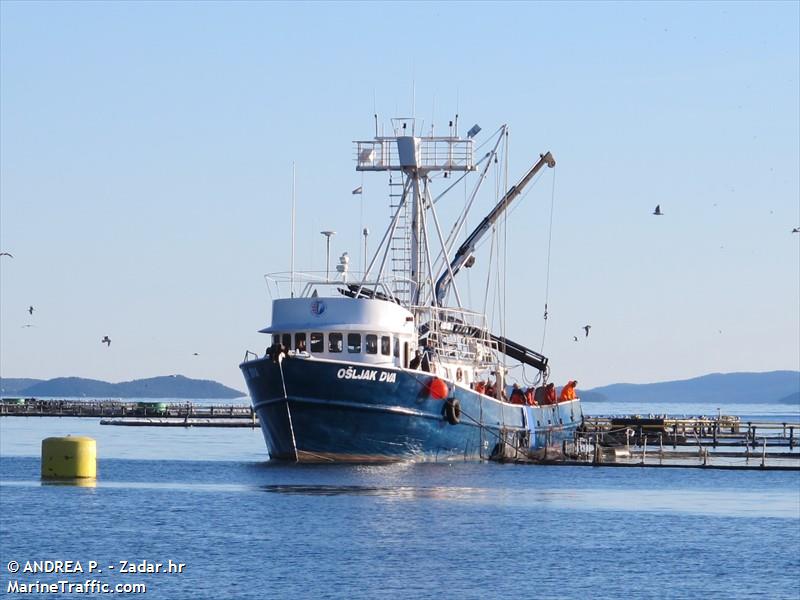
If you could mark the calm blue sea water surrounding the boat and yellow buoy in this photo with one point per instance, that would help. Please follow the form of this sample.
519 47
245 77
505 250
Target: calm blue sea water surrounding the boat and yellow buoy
247 528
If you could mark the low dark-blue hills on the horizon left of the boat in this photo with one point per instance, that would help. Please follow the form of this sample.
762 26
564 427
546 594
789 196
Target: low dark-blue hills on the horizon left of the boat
168 386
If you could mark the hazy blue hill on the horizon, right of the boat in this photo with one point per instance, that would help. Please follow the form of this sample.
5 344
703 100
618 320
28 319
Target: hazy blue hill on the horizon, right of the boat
772 386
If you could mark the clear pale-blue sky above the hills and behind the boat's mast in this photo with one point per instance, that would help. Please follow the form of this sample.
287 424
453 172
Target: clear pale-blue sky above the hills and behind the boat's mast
146 153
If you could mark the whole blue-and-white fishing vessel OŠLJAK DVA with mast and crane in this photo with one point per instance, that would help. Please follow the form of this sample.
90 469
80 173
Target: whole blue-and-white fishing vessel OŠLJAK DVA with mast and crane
388 364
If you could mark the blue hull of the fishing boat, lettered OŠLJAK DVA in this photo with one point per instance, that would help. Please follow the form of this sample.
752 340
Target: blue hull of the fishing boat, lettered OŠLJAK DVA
325 411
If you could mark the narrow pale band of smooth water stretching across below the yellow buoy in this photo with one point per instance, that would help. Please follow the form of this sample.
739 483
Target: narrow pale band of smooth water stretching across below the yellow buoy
777 503
